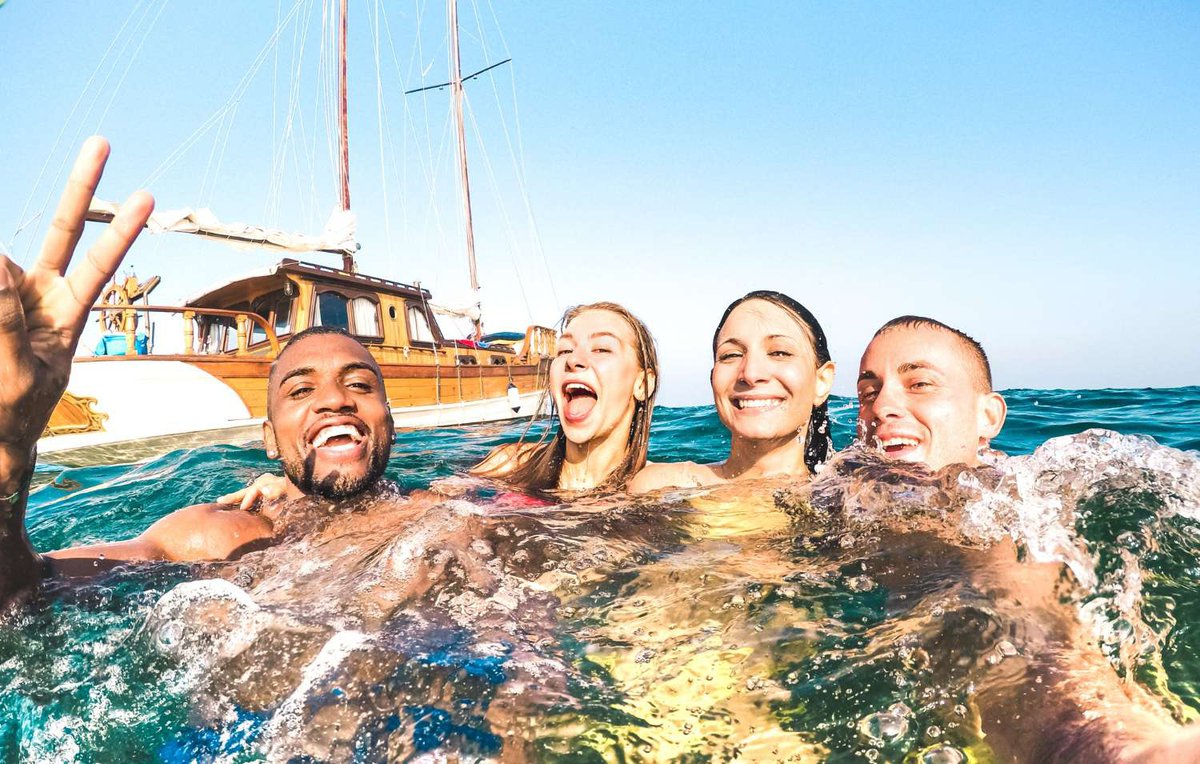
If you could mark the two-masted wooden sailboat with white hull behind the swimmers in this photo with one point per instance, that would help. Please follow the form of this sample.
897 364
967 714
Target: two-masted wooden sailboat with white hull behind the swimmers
129 401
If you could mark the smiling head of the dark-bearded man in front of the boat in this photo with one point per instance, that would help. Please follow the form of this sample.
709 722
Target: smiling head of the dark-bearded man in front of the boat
329 422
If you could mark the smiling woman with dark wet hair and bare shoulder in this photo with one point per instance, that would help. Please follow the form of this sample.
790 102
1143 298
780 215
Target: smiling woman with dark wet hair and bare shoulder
771 380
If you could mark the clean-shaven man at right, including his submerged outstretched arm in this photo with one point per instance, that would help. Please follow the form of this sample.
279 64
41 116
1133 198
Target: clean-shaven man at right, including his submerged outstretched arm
926 396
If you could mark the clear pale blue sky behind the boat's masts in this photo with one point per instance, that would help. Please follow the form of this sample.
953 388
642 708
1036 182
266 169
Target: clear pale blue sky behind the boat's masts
1027 172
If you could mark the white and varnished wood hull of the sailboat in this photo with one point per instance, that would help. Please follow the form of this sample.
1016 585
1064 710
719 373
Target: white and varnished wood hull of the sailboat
122 410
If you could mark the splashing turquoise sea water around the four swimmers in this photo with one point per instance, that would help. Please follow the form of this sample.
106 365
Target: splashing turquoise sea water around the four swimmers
698 628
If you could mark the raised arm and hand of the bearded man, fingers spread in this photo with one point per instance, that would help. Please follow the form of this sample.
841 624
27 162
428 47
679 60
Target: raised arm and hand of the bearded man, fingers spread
43 315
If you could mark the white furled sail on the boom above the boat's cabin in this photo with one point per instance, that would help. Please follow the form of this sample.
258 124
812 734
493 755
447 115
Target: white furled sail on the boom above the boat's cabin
338 238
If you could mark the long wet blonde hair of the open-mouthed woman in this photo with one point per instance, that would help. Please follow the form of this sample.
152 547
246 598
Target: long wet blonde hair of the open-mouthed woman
542 466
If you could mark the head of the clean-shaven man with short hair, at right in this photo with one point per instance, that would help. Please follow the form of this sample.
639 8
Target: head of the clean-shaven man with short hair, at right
925 398
